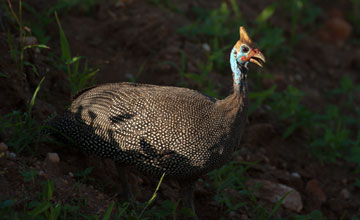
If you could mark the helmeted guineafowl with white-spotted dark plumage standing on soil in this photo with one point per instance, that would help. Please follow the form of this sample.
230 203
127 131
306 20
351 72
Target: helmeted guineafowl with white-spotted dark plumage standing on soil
163 129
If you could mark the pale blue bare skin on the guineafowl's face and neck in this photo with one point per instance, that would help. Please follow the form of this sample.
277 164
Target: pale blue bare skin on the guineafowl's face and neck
237 65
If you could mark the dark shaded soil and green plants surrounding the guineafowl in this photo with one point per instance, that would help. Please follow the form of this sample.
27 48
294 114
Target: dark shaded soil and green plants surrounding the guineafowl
304 119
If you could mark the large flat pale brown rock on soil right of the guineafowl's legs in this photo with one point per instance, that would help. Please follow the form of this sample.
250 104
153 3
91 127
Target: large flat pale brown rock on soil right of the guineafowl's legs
273 192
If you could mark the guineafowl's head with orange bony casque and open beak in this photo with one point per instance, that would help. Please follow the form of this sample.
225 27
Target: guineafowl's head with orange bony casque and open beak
243 53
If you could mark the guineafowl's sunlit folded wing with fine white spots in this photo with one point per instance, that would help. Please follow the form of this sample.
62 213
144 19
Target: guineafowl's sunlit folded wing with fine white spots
138 116
